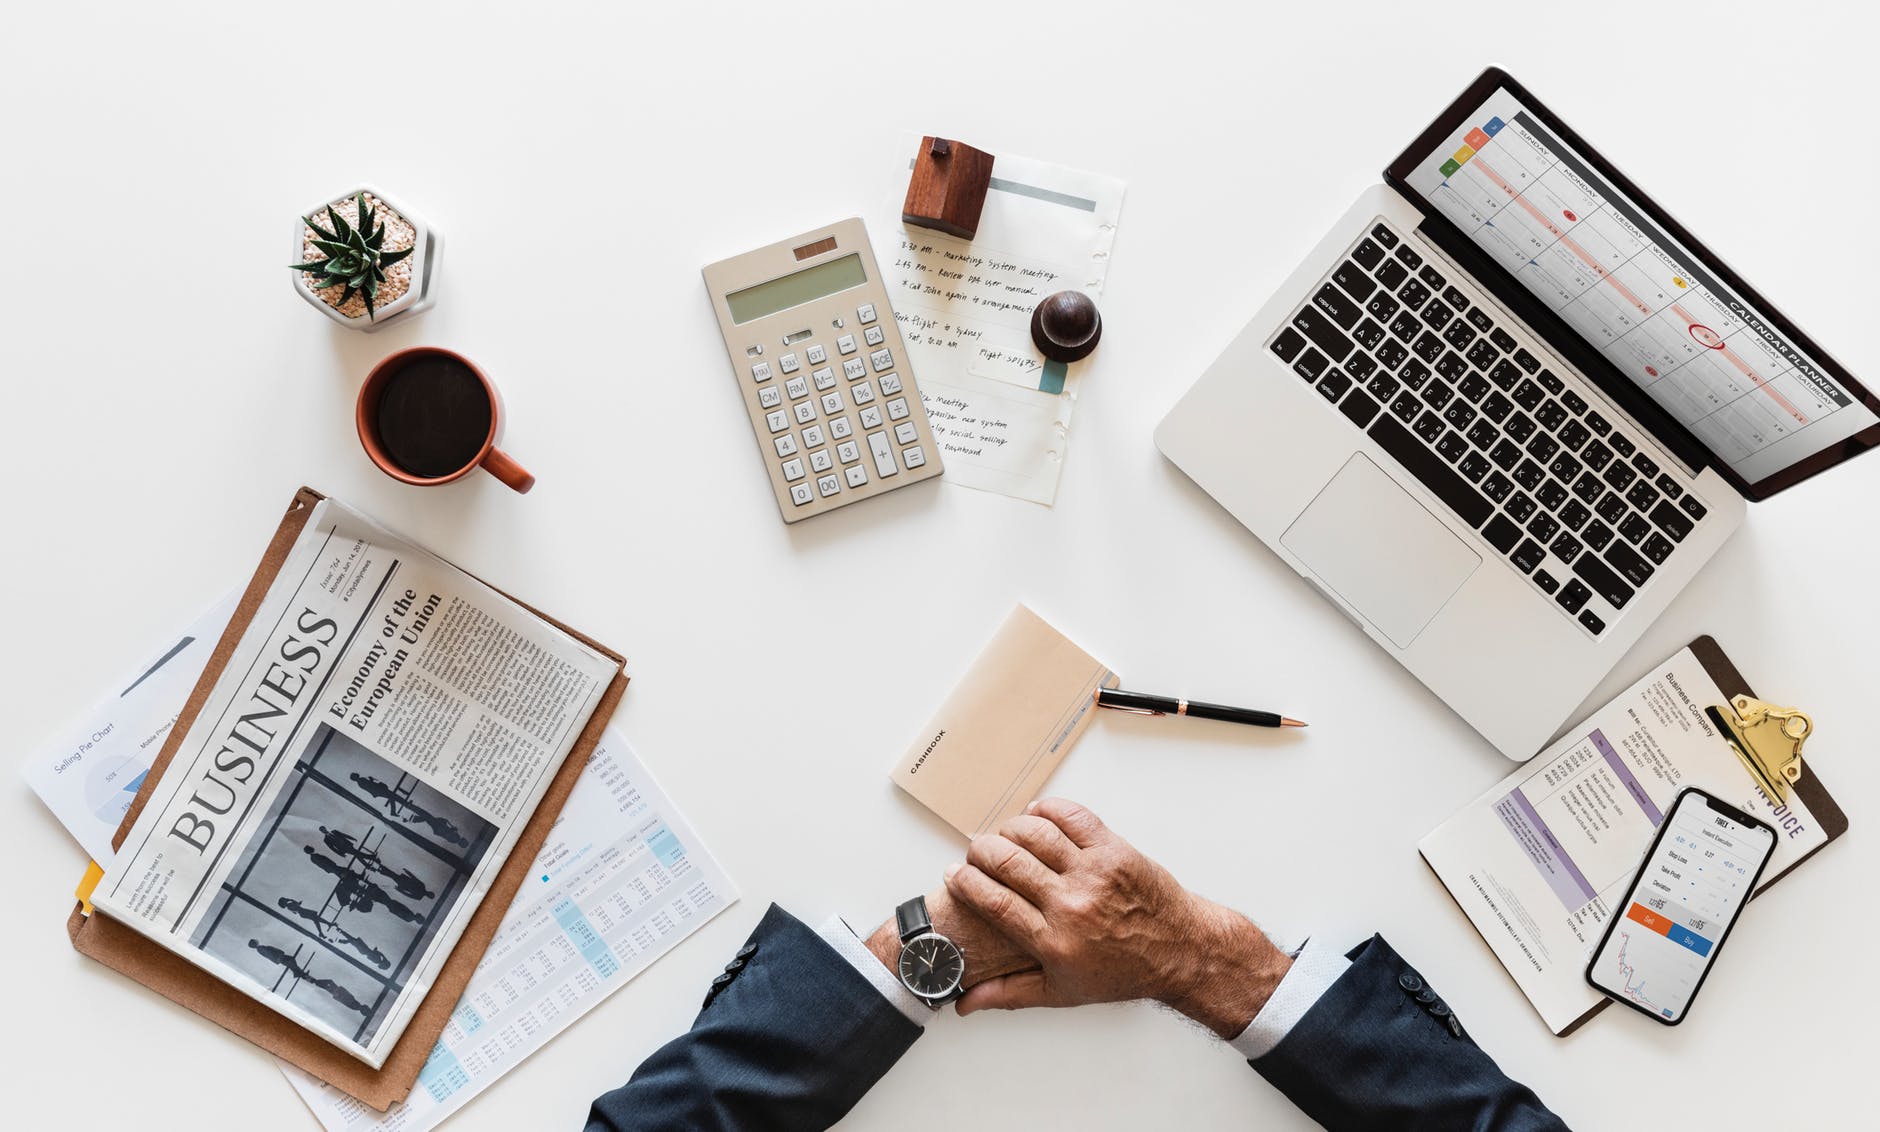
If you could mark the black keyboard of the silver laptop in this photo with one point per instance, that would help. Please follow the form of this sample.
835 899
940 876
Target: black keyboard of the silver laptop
1475 417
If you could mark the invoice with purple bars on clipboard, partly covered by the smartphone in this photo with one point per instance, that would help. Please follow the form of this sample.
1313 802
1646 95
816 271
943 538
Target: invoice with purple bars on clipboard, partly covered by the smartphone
1541 862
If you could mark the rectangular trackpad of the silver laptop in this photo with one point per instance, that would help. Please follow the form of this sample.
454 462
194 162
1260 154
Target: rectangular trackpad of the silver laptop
1381 550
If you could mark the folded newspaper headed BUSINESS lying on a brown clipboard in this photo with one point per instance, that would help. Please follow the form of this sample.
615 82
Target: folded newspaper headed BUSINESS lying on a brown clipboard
354 783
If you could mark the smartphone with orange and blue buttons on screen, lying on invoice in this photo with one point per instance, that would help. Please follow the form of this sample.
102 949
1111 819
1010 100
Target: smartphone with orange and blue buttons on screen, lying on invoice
1680 909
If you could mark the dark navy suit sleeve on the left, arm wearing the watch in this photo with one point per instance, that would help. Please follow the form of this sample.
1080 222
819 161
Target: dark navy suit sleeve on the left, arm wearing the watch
789 1043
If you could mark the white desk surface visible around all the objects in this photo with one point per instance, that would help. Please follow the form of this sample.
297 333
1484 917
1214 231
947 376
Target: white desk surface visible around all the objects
166 394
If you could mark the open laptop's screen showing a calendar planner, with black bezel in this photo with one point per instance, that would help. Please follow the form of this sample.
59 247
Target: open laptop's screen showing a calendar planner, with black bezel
1663 313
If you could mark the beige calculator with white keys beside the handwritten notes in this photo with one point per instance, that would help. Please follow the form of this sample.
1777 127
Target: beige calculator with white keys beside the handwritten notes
824 373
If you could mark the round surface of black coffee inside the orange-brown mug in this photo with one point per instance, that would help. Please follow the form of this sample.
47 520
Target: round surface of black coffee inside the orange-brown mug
433 417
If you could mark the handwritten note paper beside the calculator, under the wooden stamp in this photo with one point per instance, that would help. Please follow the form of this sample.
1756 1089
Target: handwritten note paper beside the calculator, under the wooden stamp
999 411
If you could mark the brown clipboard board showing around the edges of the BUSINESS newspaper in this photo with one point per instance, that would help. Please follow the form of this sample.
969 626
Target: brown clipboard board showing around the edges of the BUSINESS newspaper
189 986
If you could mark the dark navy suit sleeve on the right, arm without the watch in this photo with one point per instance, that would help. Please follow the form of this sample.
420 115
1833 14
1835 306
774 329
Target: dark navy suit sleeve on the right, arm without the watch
1371 1056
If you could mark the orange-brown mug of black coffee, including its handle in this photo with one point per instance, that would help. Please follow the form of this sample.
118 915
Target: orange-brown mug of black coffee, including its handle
430 417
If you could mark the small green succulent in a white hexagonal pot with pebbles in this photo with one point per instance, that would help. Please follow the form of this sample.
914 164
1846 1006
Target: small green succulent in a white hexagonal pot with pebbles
364 260
